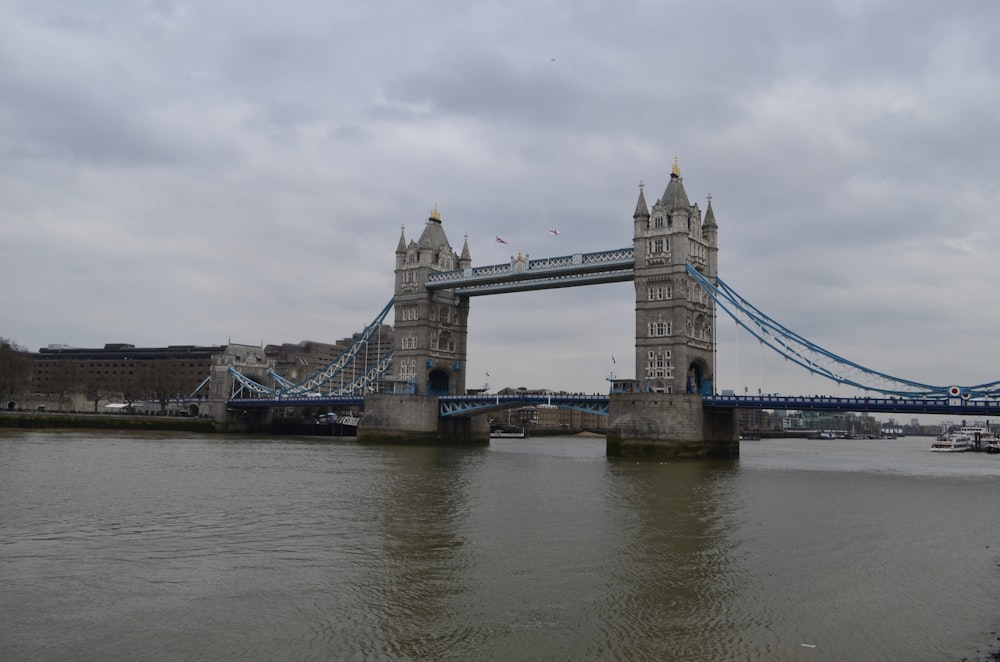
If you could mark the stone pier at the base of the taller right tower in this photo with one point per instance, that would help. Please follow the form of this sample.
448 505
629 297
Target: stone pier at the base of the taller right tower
669 425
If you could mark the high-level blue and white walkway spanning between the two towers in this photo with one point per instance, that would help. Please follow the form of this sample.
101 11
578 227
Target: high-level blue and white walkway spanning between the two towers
612 266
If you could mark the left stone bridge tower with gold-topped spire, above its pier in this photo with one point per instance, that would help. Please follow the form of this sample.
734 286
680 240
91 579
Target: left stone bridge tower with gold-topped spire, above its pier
432 326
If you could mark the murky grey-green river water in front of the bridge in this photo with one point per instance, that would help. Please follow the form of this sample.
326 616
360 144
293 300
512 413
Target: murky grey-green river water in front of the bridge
198 547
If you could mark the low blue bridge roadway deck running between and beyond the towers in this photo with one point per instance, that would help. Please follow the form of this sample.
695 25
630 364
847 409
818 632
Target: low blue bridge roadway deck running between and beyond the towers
466 405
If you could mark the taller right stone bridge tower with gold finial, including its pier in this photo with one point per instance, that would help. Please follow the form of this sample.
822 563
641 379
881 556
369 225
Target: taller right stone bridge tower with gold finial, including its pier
660 413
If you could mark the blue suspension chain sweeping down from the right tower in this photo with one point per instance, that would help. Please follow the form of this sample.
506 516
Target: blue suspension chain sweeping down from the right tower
822 362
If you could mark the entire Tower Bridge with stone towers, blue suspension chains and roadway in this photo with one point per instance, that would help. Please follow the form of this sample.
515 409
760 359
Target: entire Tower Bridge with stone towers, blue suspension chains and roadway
416 391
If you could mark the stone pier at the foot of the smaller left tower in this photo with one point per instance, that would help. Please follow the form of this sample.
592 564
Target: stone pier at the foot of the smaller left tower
414 419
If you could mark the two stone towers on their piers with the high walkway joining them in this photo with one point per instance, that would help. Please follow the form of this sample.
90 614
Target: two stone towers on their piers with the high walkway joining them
660 411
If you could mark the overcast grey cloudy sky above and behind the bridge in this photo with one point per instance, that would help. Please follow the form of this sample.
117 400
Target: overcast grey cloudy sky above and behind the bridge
181 172
